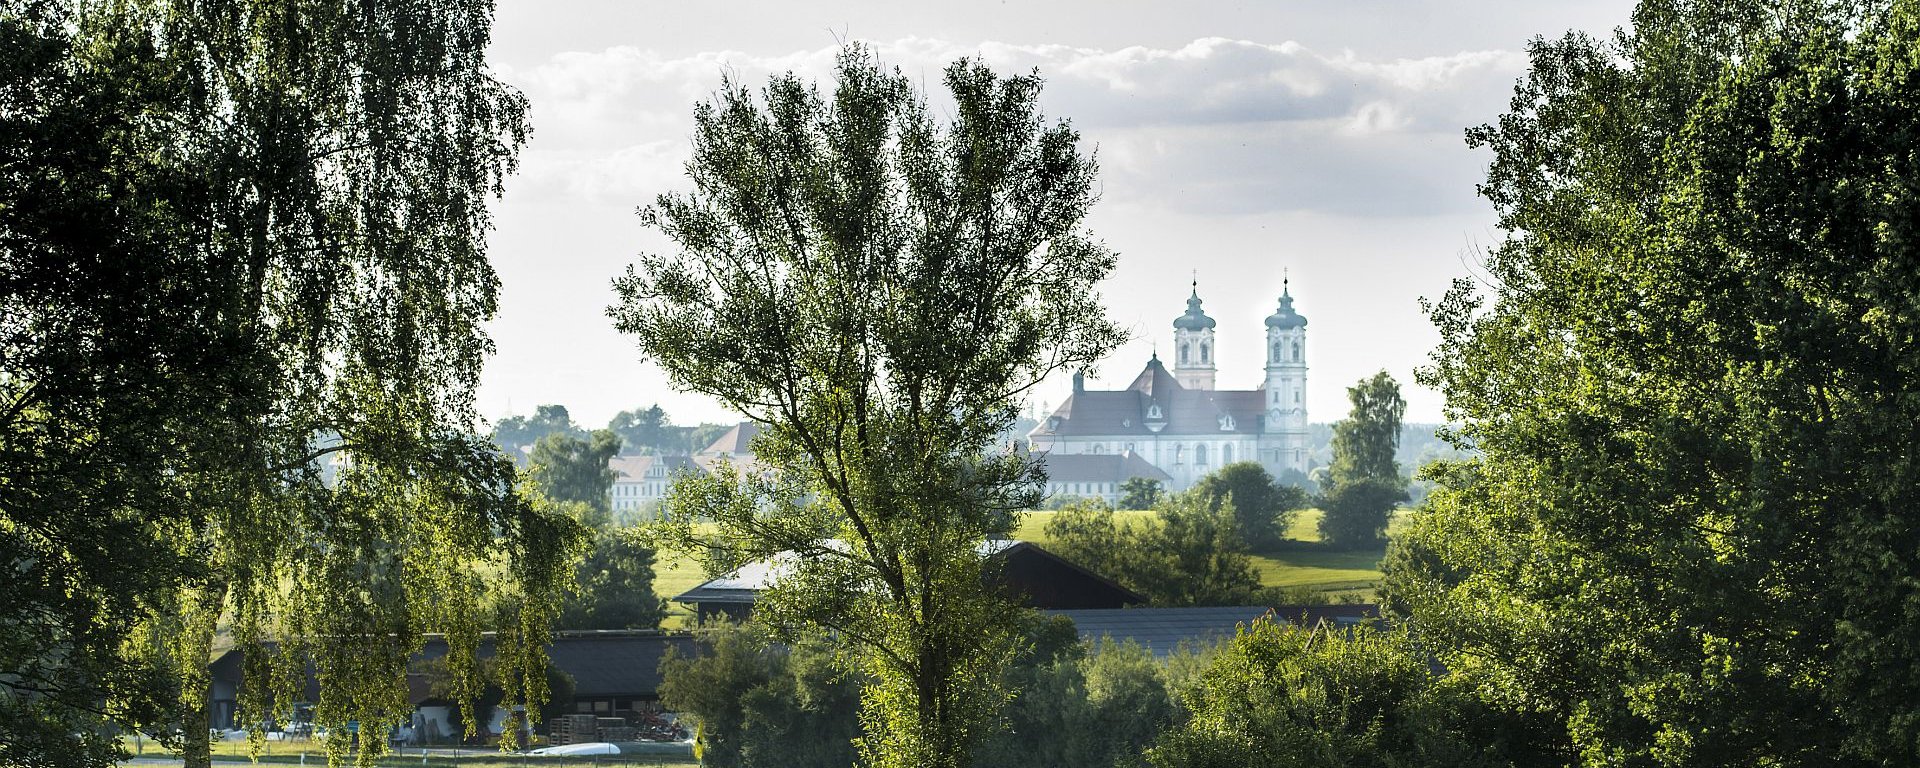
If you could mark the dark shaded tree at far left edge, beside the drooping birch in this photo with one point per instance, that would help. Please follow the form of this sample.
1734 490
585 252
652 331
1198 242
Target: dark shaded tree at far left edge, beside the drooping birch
108 375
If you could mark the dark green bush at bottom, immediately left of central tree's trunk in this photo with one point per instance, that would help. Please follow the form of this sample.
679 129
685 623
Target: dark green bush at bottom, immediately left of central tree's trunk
765 706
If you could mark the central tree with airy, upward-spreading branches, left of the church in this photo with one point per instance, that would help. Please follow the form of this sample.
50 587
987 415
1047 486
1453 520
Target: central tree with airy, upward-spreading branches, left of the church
878 291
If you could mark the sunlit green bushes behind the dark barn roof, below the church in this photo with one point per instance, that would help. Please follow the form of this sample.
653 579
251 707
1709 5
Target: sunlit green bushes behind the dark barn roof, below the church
1189 556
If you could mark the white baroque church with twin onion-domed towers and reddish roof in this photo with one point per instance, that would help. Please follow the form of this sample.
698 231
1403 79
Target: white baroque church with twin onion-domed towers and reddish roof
1178 421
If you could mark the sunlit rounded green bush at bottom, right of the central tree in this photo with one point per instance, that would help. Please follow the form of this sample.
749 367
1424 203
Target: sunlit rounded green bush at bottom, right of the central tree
1282 696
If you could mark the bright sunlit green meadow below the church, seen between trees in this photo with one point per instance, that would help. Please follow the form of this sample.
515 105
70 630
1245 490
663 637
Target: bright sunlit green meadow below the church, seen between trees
1305 565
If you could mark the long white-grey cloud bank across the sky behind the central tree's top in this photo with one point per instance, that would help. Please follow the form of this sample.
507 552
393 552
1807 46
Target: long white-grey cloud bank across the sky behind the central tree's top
1232 126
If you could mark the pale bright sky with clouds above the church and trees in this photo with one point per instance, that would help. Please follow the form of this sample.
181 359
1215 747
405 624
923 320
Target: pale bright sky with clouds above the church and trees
1237 143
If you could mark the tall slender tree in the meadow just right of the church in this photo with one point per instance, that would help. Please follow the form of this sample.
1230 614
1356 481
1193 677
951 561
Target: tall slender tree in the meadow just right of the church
1364 483
